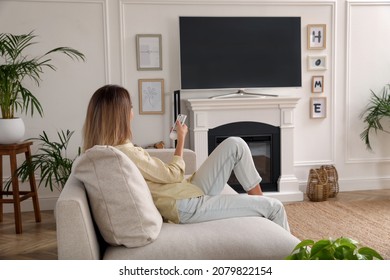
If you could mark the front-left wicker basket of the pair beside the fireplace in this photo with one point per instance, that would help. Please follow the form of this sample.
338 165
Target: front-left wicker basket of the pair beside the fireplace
317 185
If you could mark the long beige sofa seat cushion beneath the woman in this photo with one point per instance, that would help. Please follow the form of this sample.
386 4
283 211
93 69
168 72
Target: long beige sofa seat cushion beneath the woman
242 238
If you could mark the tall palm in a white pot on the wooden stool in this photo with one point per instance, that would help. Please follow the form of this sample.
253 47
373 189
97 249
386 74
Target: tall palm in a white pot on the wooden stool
14 69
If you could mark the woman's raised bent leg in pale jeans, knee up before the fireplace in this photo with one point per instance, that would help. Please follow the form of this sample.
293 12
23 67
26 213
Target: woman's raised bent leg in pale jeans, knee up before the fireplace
232 154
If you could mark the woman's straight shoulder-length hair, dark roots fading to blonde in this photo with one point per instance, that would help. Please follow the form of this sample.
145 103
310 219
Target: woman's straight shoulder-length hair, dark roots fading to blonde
107 121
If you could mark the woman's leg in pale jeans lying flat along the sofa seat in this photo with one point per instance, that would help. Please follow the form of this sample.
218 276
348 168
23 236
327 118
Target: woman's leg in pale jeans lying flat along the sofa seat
208 208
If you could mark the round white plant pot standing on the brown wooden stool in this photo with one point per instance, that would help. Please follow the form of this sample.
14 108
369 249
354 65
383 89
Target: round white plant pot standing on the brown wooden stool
11 130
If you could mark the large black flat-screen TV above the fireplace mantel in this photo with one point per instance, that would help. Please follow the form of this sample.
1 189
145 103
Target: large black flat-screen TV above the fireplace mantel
240 52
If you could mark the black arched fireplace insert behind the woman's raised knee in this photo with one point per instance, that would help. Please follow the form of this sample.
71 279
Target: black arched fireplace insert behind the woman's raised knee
263 141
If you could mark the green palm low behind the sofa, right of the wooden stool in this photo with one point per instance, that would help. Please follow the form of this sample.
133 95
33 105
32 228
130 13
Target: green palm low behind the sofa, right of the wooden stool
51 161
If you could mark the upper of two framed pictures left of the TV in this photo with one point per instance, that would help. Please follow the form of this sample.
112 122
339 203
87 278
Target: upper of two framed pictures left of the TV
149 52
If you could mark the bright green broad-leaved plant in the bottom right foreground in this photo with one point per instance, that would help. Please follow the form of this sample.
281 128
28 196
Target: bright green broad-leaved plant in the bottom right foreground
328 249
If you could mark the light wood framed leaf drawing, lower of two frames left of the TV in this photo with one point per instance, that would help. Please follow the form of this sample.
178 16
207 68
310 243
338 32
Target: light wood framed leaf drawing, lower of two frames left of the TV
151 96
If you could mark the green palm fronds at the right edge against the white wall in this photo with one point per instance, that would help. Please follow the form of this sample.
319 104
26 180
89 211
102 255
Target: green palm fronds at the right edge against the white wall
377 109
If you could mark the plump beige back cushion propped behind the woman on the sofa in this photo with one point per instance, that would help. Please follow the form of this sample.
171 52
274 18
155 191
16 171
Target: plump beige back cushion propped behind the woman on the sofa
121 203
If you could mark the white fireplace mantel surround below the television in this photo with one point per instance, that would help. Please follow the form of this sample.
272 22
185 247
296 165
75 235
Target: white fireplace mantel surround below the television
205 114
